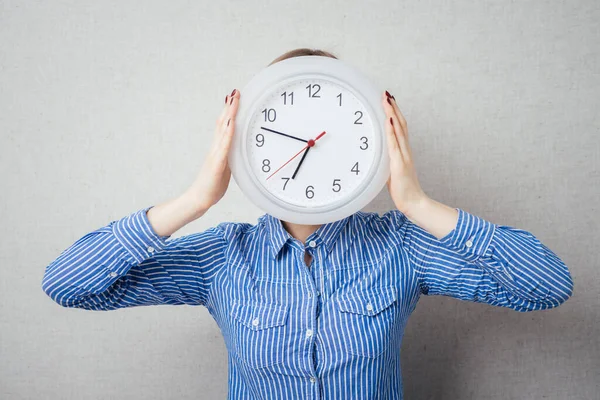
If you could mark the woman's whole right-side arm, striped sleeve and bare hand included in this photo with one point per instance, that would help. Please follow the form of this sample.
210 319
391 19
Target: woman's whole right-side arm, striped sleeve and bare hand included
461 255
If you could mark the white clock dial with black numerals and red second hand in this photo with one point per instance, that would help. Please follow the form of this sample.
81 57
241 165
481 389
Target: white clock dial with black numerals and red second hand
328 168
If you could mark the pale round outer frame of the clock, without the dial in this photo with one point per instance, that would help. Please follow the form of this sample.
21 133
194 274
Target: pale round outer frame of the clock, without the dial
307 68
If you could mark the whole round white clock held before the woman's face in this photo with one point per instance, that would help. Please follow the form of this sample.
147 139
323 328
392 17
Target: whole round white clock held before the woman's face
309 145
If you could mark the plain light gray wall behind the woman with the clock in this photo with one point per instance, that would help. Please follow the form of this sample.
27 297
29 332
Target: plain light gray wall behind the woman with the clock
107 107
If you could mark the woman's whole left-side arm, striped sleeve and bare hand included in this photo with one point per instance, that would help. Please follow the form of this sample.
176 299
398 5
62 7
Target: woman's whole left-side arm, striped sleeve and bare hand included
130 262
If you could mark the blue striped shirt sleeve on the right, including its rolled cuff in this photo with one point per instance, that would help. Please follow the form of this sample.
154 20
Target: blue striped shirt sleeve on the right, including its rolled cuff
488 263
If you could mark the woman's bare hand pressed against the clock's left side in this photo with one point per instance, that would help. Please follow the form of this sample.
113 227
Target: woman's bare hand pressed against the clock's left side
213 179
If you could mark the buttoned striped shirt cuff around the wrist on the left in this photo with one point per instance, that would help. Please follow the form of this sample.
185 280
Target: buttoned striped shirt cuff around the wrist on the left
137 236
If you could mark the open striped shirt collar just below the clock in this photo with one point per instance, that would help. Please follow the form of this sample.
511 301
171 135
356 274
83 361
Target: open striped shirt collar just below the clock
326 234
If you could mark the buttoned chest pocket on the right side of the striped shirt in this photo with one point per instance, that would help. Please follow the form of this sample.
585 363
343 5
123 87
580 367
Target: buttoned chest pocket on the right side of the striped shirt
366 318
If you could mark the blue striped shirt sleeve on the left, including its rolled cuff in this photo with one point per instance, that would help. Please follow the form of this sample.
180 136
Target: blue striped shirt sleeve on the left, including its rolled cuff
126 264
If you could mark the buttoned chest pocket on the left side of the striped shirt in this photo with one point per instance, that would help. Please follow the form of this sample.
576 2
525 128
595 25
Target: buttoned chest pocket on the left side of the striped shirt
259 332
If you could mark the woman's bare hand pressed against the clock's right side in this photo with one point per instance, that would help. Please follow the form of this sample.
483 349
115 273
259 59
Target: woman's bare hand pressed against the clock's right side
403 183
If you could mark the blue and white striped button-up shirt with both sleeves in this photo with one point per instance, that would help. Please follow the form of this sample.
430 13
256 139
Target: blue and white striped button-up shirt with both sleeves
329 331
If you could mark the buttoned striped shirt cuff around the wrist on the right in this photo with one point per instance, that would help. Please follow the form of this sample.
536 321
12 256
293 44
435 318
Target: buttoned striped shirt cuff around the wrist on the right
471 237
